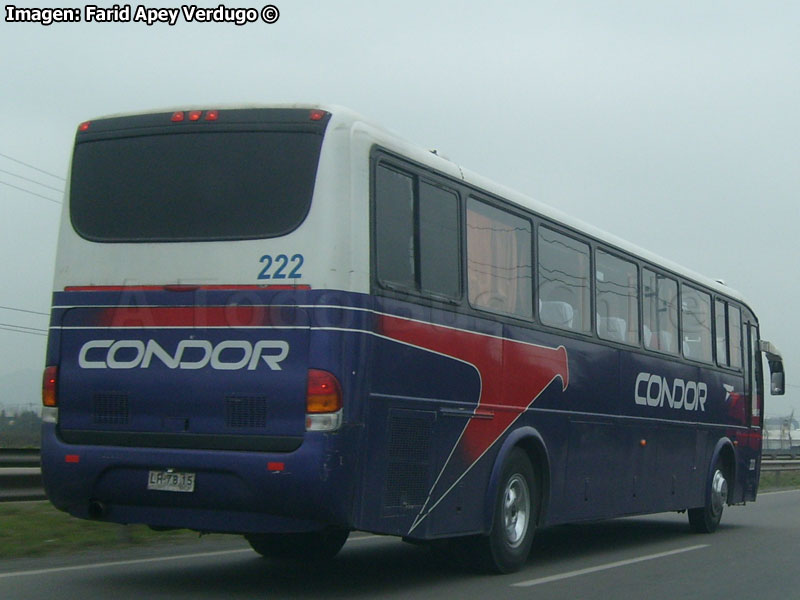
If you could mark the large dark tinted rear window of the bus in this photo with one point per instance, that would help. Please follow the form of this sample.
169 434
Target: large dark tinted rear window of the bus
193 186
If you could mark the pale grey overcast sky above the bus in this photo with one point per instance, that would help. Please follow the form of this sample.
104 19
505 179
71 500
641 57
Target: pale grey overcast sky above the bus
674 125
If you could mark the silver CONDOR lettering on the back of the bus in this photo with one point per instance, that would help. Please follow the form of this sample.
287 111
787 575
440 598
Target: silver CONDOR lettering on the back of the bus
229 355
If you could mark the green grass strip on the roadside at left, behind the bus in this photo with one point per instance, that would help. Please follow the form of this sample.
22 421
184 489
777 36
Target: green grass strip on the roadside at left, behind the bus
37 529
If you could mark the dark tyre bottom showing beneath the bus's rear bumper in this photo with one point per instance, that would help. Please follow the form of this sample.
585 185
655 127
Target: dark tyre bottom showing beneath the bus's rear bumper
313 545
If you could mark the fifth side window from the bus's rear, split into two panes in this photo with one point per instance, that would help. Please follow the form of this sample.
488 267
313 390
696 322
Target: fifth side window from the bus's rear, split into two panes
659 312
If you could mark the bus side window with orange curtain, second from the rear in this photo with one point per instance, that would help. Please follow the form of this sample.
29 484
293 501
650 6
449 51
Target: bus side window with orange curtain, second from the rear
499 269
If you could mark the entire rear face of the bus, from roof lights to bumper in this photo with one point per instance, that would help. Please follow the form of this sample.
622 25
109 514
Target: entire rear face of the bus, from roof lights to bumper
199 381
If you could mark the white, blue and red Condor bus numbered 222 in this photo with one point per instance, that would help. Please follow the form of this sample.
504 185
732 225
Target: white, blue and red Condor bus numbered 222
289 323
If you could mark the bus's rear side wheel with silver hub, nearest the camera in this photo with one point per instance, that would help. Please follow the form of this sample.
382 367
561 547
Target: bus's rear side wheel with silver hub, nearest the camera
506 548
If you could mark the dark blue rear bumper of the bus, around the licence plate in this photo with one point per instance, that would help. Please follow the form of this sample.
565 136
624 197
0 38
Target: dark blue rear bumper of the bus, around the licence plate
235 492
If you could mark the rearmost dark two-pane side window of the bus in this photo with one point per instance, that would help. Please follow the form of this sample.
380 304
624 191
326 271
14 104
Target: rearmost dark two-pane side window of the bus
416 234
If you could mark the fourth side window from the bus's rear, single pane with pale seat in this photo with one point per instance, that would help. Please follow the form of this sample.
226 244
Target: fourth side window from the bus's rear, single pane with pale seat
617 289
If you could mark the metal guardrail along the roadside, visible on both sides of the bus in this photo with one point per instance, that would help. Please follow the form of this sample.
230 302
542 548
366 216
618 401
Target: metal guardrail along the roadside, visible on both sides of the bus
21 475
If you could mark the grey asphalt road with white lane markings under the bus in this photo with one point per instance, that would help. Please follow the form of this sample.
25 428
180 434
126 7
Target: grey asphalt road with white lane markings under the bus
754 554
